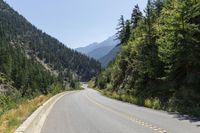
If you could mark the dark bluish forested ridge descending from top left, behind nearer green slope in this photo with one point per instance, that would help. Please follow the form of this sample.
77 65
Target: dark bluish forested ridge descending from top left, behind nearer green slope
16 30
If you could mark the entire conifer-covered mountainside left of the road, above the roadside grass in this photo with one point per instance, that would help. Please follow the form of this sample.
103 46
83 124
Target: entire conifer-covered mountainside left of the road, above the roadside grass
33 60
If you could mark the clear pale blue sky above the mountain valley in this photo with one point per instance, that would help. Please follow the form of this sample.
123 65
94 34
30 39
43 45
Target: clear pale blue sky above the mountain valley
76 23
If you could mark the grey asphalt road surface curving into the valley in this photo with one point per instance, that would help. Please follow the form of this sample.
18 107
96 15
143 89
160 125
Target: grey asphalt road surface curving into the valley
87 111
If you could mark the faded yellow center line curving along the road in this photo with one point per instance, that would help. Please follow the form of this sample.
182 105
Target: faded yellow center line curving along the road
128 117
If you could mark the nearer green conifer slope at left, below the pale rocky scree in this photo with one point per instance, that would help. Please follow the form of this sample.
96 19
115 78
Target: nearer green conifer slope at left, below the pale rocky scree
25 74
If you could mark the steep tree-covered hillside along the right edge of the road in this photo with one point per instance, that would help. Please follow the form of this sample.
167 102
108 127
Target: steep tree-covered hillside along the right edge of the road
159 64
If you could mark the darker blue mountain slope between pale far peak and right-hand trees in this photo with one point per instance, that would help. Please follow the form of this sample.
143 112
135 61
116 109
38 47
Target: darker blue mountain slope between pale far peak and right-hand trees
108 58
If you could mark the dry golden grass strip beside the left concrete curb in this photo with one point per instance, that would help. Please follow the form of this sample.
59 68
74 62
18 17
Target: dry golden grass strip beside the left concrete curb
13 118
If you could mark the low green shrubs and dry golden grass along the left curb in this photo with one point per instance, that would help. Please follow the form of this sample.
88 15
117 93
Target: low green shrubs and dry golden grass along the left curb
14 108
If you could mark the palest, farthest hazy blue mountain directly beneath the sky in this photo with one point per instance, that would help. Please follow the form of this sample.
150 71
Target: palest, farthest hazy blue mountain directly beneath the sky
99 50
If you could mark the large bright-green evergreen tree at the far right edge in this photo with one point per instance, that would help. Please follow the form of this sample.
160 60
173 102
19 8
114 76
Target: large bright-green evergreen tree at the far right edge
180 50
